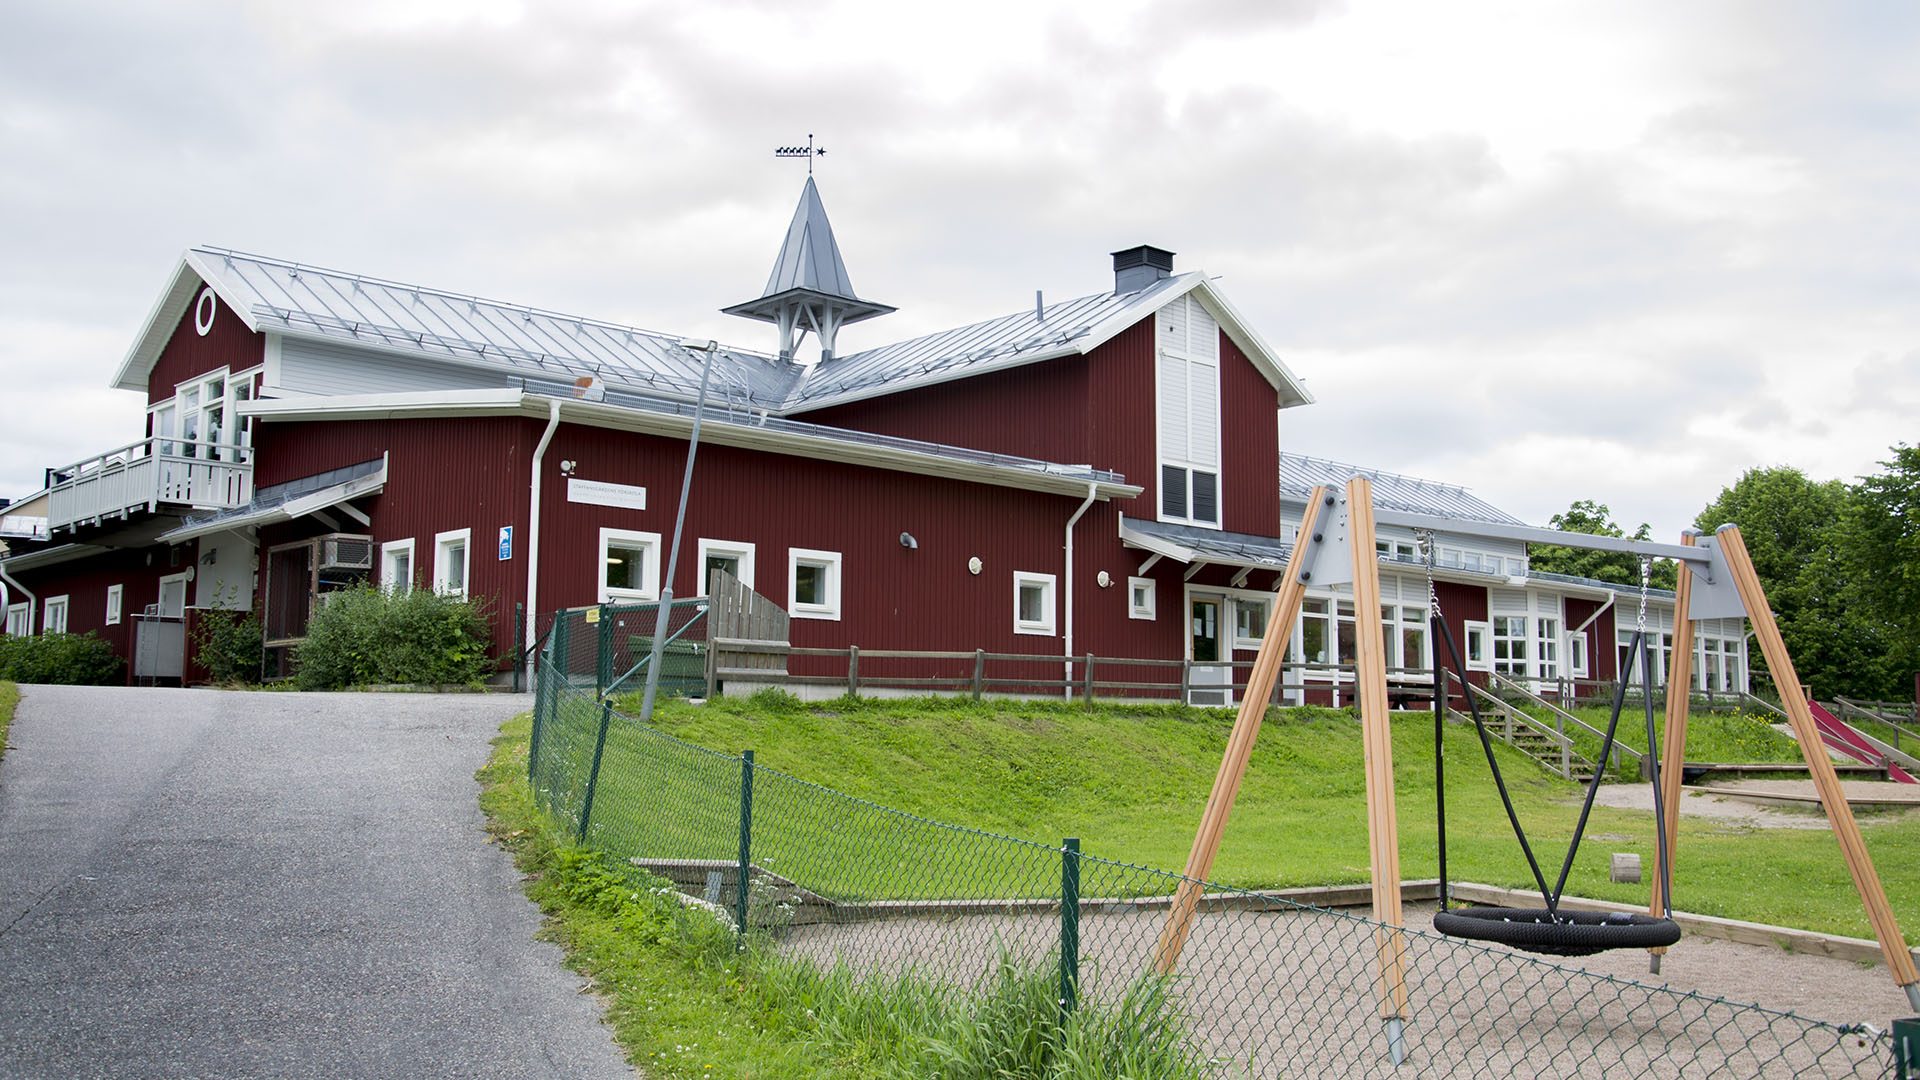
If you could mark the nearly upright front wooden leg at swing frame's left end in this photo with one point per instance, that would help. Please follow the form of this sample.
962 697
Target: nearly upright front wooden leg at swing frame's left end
1378 739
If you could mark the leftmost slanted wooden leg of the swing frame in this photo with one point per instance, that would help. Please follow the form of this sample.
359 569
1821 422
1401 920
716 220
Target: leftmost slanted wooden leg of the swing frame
1239 743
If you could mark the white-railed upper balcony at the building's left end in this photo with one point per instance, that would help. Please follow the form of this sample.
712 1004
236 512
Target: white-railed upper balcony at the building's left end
149 476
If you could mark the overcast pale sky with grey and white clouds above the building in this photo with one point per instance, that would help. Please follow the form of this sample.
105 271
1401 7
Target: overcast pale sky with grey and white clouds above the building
1543 251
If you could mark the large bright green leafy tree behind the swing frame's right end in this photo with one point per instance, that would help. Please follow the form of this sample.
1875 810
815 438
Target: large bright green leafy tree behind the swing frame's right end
1796 531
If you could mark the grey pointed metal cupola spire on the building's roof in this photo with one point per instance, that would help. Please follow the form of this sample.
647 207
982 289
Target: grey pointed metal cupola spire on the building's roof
809 287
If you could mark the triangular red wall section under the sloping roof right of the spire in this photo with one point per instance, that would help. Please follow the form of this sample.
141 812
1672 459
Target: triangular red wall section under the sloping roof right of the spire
1034 412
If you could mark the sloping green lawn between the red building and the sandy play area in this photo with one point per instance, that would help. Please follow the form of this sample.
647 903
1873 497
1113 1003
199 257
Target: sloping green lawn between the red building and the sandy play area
1132 785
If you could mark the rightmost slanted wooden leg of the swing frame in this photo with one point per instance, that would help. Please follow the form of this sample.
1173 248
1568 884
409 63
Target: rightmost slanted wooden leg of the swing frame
1852 847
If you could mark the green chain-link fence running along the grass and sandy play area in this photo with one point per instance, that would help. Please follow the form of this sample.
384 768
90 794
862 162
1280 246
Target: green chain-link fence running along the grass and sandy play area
1262 989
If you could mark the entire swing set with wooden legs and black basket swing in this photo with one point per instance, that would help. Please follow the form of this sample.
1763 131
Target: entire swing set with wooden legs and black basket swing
1337 547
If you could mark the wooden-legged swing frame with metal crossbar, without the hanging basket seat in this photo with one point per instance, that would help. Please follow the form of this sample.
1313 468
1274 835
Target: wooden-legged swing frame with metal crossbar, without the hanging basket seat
1324 529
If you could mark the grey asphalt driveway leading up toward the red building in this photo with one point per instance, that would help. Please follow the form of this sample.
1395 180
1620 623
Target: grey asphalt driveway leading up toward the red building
201 883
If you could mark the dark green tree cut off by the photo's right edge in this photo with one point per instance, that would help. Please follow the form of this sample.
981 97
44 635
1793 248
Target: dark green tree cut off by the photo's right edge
1881 554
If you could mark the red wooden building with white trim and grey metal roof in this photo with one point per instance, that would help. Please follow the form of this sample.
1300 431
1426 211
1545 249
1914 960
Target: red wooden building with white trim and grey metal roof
1099 476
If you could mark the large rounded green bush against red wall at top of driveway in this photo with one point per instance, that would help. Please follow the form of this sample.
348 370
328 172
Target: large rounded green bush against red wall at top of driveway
370 637
